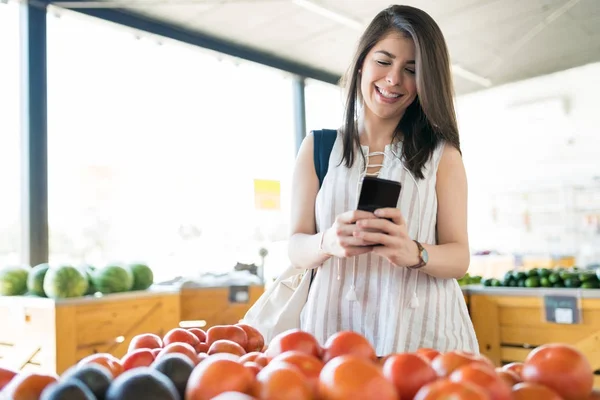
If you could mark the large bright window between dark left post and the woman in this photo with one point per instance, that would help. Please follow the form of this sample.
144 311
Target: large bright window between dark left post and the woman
154 147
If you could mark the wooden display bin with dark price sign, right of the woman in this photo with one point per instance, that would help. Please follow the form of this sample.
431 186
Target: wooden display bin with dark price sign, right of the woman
510 322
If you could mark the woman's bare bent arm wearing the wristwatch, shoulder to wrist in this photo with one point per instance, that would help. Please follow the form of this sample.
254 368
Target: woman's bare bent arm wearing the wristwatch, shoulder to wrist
450 258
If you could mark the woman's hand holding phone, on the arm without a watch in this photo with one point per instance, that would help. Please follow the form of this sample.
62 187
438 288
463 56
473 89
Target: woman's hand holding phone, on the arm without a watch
341 241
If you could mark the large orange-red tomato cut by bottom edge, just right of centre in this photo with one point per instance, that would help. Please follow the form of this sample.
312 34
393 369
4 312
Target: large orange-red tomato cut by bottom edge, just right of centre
353 377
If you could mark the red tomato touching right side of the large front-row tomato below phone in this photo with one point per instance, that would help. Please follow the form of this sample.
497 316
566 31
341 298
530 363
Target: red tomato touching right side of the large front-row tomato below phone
408 372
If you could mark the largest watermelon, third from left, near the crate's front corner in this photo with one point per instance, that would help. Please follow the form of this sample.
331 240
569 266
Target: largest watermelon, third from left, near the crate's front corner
65 281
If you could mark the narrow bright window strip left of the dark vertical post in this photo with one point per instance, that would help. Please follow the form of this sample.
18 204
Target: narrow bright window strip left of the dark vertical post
10 149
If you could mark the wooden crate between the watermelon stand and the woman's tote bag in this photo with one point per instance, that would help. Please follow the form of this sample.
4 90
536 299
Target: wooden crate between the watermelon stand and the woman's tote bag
209 306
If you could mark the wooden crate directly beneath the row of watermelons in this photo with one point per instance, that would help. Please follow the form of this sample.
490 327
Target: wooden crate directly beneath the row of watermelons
49 335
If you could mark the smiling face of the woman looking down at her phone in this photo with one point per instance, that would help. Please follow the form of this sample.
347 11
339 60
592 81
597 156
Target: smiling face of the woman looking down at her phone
388 85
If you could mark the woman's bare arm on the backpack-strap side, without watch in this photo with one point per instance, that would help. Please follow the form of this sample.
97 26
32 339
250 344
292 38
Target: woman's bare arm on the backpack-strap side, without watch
304 245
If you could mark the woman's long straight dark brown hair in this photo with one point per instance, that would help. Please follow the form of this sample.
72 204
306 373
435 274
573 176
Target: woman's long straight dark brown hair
431 117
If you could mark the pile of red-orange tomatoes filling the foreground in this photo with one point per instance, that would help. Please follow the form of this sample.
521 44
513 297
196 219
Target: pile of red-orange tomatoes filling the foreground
232 362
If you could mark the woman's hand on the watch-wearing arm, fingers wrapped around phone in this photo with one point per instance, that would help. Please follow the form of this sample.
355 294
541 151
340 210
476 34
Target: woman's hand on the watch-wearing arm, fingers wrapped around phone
390 237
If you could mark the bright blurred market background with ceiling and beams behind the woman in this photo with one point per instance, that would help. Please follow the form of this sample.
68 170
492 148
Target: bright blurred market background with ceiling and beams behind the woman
172 127
